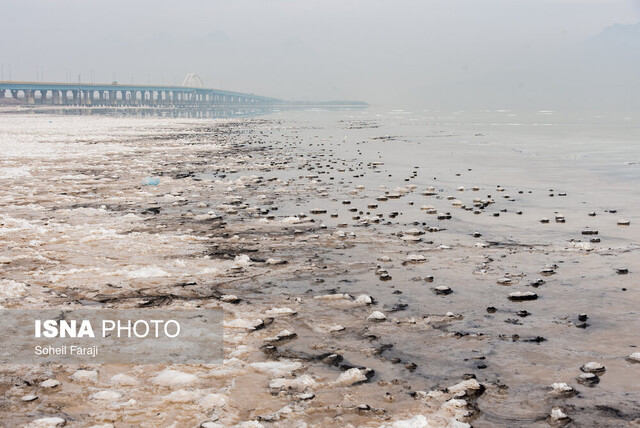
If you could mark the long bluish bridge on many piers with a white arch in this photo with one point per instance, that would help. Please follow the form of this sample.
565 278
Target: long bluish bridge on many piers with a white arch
191 94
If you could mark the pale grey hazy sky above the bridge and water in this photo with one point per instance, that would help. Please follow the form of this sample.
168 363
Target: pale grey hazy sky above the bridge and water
393 53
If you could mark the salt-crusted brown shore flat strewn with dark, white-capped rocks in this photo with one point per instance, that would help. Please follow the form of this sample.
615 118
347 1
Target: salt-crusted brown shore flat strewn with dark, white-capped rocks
357 289
